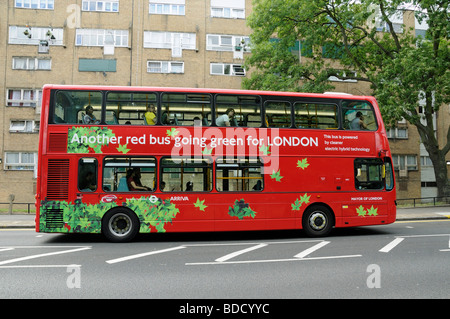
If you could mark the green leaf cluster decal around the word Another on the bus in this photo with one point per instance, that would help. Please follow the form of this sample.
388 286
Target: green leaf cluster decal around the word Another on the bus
83 139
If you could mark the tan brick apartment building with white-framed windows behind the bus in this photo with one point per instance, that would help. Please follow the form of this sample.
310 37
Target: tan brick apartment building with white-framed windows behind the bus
178 43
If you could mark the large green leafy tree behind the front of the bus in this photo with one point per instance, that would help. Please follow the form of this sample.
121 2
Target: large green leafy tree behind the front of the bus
409 74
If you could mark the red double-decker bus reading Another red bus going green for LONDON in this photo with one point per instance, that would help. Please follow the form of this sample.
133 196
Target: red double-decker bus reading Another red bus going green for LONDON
124 160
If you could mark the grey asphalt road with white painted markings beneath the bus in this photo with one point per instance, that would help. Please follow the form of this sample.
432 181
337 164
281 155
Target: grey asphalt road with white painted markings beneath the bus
402 260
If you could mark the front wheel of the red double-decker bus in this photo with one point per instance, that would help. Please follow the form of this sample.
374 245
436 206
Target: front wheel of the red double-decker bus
317 221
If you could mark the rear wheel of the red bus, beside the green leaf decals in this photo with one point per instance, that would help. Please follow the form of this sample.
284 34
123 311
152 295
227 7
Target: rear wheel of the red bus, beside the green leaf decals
120 225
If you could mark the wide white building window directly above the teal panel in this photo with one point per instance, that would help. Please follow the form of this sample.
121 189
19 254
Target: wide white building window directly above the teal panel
101 37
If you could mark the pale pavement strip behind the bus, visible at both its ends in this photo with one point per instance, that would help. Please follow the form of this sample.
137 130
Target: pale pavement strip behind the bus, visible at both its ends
403 214
